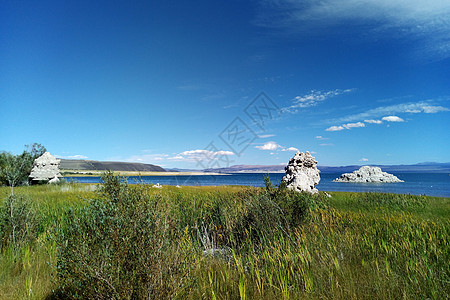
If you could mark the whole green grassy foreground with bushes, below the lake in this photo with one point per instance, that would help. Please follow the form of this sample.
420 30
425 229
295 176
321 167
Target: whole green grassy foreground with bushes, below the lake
134 241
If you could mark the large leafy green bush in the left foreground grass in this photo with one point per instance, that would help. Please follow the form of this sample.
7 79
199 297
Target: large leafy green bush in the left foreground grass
116 247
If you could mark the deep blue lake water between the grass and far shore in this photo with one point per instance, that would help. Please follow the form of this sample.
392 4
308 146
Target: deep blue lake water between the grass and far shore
431 184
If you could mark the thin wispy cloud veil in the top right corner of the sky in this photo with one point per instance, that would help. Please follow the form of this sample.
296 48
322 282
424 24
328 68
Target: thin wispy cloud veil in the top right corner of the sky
427 22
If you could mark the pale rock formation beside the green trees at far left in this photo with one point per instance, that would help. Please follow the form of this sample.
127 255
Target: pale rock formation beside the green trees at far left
45 168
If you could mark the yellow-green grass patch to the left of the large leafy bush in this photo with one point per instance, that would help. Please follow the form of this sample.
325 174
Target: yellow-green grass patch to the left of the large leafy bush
27 264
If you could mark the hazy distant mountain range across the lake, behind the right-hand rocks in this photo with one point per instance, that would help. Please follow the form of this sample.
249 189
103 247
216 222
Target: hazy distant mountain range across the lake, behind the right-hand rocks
428 167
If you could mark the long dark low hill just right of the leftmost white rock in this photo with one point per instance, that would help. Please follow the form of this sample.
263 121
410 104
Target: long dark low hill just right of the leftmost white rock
92 165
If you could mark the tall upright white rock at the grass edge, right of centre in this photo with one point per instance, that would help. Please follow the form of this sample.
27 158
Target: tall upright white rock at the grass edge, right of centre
302 173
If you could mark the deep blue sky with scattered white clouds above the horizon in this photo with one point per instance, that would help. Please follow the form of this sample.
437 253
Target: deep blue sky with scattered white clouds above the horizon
168 82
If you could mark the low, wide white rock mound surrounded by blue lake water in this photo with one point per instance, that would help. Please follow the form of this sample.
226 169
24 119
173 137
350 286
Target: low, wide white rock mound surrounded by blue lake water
368 174
